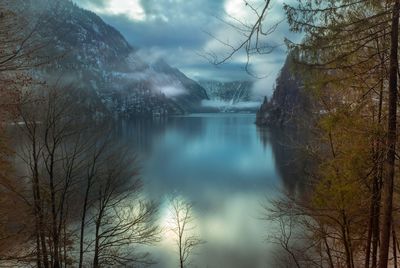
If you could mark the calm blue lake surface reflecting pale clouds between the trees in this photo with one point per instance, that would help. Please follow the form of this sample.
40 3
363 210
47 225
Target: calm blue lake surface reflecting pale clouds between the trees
227 168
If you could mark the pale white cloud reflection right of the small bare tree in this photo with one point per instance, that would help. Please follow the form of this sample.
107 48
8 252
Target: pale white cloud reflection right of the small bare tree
235 234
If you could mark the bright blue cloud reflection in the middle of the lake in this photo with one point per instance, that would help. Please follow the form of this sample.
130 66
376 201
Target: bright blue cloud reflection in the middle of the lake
203 156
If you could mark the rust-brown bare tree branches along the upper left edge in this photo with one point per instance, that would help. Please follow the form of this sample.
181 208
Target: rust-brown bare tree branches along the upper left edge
19 46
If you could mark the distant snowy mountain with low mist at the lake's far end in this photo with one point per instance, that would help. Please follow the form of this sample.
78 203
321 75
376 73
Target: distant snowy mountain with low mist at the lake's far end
229 96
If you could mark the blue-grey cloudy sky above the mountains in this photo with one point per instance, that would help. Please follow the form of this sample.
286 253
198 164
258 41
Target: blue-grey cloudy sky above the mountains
182 31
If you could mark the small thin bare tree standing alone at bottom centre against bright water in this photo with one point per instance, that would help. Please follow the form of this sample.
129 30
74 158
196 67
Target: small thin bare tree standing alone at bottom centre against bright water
183 227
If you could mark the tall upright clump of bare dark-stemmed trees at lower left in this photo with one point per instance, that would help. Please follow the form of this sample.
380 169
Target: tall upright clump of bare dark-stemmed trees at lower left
51 149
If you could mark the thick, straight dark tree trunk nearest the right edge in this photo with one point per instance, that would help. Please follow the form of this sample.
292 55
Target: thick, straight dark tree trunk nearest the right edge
391 141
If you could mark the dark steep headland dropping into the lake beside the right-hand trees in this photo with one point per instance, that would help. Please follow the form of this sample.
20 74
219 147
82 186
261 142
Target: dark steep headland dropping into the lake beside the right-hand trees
290 105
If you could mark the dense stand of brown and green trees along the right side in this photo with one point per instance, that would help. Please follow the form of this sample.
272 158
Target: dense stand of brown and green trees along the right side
349 65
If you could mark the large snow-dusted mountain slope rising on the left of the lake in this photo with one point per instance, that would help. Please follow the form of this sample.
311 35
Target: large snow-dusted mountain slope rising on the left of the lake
105 69
